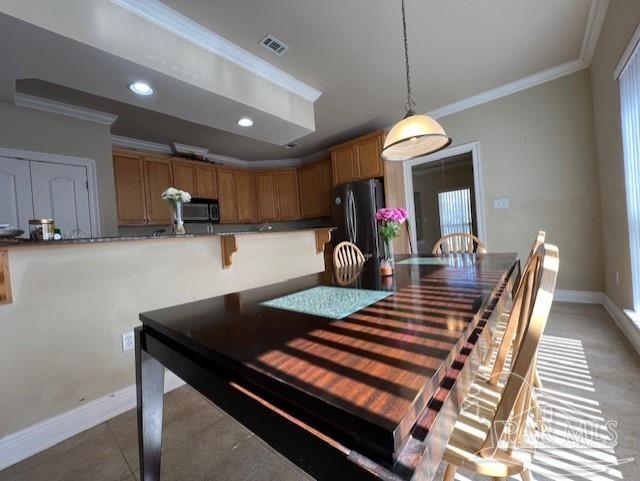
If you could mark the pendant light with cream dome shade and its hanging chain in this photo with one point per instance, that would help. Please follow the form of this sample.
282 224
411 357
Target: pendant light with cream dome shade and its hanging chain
415 135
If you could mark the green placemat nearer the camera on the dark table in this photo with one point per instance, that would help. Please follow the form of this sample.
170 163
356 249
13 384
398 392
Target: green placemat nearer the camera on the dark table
331 302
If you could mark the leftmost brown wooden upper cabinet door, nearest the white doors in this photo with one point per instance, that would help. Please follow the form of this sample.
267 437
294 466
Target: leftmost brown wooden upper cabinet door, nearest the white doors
129 182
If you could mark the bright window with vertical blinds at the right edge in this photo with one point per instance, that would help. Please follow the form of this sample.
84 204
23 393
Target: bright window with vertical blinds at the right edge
630 110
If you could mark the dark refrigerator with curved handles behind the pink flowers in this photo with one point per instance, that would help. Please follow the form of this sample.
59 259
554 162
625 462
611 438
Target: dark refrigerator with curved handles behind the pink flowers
354 207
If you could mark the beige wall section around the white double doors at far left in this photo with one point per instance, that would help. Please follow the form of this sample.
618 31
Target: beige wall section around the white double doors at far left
35 130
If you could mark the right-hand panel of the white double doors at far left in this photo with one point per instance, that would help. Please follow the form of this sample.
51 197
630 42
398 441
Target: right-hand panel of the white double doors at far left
61 192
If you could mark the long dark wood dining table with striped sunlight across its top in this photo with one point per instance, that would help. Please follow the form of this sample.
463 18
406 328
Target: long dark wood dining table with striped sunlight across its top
373 395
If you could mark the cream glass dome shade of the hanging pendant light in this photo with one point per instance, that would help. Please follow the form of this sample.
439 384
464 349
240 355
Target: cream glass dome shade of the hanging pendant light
414 136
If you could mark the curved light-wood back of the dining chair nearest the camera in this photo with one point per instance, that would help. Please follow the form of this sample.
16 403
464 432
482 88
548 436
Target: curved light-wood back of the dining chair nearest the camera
531 308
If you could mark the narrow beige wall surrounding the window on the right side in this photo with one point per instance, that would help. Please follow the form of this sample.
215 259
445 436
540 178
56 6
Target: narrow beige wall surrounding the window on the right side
622 19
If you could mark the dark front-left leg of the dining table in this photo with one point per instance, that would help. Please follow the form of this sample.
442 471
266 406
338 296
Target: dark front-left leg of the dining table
150 396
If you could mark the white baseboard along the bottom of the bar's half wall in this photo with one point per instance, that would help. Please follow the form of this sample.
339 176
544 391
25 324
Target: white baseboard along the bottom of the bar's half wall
29 441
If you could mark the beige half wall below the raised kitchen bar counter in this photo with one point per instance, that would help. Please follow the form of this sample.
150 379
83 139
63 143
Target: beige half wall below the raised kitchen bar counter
61 337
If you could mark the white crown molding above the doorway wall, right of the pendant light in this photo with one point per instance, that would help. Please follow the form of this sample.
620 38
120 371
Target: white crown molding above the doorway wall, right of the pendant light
508 89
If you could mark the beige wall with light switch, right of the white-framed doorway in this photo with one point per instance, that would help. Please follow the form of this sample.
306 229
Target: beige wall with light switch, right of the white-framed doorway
537 149
